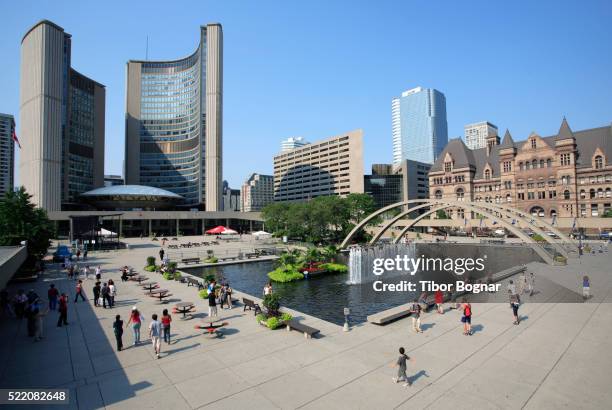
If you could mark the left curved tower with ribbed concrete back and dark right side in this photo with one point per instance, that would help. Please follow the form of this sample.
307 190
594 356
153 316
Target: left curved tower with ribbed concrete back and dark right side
62 121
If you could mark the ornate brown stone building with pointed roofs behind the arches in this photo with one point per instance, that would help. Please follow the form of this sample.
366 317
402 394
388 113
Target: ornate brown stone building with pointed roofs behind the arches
568 174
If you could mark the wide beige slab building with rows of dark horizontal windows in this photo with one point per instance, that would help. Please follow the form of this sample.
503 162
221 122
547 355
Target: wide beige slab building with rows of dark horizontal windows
333 166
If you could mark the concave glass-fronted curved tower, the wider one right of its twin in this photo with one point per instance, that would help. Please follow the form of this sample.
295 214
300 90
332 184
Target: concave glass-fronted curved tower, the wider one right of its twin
173 123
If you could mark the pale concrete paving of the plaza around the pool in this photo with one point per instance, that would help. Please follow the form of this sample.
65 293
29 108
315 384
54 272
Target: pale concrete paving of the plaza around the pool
557 357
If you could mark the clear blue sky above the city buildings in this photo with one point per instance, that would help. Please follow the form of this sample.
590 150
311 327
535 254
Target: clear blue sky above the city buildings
319 68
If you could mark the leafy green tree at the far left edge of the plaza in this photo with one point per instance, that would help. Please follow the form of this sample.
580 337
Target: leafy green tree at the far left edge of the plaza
21 221
